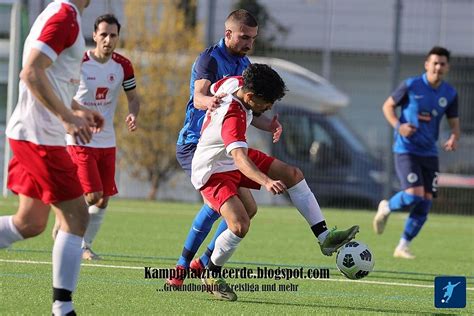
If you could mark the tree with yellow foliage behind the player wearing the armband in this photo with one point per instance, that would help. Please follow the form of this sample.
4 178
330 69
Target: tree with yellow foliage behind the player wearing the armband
162 46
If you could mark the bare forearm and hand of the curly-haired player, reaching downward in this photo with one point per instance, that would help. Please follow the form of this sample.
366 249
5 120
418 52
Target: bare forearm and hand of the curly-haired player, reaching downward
250 170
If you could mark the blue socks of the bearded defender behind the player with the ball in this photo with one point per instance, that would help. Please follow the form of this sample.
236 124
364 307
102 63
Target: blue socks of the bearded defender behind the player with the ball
200 228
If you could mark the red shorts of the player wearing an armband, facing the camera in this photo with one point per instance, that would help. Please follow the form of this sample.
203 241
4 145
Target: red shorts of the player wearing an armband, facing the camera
95 168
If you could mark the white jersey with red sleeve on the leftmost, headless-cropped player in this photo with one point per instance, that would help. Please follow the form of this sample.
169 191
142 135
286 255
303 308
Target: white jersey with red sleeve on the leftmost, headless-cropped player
57 34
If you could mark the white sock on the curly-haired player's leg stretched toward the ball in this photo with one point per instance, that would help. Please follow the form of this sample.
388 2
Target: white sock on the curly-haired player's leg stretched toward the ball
305 201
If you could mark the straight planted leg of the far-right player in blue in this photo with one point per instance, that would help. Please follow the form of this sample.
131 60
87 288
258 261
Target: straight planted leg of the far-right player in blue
419 213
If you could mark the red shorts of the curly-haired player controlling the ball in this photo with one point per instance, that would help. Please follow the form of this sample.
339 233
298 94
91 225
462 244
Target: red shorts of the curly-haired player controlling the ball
222 186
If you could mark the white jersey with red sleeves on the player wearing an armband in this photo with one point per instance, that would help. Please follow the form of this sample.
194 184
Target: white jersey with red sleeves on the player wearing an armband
99 90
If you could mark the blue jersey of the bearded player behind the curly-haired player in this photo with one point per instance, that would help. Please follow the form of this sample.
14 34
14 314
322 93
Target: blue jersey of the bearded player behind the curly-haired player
213 64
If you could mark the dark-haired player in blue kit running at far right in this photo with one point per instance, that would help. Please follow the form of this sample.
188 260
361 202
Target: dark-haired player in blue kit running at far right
423 100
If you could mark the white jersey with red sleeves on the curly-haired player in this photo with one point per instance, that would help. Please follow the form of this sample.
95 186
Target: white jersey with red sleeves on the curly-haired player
223 130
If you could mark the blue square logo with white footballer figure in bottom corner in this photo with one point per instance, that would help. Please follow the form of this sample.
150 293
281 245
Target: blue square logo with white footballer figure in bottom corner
450 292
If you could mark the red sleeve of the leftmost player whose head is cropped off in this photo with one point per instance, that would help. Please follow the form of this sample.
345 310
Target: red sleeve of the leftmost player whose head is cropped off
58 33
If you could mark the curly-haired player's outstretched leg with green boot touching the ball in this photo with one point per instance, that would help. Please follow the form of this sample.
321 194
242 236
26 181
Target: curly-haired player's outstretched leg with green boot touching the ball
305 201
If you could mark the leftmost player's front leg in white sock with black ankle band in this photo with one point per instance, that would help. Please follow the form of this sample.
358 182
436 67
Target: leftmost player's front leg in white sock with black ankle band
67 252
